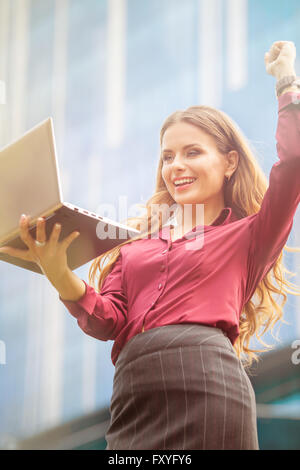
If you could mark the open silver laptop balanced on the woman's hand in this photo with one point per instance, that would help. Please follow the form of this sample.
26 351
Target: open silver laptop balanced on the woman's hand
30 184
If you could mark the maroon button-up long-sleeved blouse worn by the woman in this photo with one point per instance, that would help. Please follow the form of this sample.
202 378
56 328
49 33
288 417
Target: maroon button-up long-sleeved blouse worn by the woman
157 282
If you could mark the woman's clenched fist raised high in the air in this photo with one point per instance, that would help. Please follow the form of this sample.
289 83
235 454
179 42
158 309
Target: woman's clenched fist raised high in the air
280 60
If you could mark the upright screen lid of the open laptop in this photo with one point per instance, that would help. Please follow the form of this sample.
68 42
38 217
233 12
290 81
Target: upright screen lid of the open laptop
29 178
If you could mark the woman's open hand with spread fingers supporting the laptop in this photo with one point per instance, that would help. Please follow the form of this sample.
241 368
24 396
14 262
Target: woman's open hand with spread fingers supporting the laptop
49 255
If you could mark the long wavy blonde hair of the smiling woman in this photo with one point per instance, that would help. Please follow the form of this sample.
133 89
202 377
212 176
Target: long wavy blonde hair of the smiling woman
244 194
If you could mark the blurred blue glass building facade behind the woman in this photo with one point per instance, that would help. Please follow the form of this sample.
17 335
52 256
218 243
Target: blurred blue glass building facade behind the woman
109 72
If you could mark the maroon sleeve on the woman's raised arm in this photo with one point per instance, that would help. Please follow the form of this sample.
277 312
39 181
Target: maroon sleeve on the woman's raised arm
271 226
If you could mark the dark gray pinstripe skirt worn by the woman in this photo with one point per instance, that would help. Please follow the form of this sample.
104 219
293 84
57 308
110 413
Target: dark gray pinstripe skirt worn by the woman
181 387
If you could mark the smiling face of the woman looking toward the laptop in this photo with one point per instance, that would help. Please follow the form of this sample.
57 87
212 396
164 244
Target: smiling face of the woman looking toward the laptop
187 151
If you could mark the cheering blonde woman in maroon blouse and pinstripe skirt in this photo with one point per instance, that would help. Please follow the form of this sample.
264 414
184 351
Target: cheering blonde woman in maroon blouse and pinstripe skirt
178 301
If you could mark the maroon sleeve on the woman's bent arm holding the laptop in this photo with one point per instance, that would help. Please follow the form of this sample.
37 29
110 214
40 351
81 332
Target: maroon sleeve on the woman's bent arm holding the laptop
102 315
